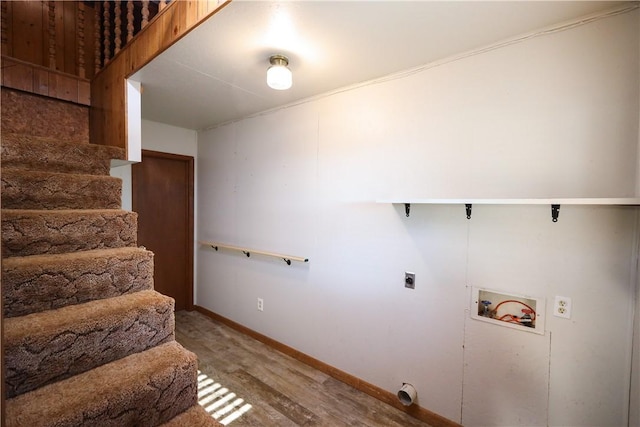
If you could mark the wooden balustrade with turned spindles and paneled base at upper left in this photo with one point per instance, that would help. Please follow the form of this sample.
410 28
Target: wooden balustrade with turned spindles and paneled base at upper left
53 48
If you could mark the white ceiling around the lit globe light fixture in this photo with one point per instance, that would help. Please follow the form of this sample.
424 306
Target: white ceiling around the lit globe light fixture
217 73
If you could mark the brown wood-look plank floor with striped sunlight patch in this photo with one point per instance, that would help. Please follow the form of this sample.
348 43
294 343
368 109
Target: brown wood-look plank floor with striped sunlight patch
241 377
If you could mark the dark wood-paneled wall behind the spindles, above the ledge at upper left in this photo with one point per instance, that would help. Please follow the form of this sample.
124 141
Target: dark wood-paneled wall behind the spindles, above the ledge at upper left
58 35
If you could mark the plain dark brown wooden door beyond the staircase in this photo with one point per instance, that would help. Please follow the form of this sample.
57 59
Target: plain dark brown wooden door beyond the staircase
162 195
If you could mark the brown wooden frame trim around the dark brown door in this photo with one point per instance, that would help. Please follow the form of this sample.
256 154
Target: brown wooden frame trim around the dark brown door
190 212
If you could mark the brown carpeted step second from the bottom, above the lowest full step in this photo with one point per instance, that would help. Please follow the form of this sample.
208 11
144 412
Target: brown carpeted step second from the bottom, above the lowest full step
53 345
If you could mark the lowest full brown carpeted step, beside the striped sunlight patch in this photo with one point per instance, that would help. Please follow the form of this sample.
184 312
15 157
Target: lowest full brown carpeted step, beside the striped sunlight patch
144 389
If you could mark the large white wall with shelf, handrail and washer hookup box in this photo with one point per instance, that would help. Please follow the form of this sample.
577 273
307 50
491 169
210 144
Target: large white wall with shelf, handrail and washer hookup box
553 116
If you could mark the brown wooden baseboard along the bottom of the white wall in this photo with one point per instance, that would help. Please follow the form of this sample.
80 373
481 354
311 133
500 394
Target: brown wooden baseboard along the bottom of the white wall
389 398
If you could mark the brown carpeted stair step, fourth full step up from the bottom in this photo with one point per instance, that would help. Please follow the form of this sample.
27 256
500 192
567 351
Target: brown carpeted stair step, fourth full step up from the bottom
33 232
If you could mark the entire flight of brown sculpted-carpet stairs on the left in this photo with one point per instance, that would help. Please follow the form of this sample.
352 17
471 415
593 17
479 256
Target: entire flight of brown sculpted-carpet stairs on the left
87 341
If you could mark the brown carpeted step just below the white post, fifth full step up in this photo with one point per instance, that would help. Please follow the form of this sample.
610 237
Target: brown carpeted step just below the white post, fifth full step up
26 189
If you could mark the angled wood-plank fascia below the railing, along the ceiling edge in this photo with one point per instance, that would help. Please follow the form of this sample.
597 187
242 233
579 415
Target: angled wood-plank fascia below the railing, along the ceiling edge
108 121
